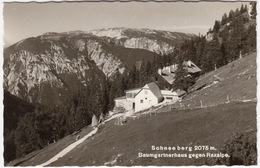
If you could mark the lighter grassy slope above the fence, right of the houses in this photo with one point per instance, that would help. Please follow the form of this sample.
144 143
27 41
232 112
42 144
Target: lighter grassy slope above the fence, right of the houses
238 82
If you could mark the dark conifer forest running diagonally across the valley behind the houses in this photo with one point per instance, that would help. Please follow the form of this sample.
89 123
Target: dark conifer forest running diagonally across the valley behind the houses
31 127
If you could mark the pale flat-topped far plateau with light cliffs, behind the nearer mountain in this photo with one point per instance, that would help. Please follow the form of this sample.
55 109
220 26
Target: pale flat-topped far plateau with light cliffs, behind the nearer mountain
161 42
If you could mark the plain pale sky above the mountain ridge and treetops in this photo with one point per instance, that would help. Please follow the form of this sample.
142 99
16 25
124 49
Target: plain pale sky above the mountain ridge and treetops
23 20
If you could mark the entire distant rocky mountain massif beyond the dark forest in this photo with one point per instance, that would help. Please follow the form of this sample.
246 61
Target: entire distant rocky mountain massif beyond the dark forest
46 68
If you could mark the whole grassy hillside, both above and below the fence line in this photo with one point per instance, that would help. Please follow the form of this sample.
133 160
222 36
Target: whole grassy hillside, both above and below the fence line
206 126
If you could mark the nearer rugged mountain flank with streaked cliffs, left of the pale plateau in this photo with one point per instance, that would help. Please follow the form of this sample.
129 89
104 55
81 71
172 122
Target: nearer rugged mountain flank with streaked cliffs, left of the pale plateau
55 67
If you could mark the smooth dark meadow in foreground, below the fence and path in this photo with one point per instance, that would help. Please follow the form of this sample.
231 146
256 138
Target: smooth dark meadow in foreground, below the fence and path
207 126
